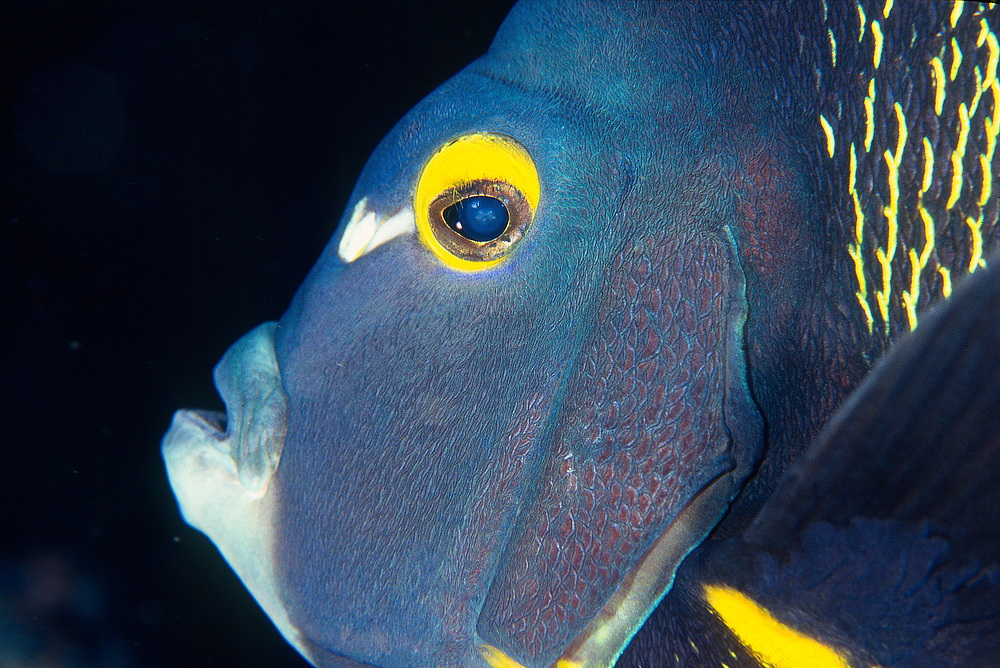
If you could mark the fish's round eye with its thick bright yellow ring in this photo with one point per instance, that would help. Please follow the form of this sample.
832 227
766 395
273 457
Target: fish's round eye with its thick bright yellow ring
475 200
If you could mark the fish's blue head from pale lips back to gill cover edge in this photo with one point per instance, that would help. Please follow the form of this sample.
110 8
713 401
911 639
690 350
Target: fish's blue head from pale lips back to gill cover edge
462 447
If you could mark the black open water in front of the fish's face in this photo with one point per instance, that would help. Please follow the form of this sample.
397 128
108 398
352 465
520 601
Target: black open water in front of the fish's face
169 171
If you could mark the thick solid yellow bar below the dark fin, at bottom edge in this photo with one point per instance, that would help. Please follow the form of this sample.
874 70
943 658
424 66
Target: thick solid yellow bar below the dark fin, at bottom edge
774 643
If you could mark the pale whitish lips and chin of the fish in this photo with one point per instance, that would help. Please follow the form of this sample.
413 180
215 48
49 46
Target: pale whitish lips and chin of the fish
223 480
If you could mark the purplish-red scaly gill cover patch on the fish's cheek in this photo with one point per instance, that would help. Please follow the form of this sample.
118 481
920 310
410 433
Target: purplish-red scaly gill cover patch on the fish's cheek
641 432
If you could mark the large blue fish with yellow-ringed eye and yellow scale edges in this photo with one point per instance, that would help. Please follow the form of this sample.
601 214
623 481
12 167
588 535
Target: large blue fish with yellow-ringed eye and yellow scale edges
662 334
